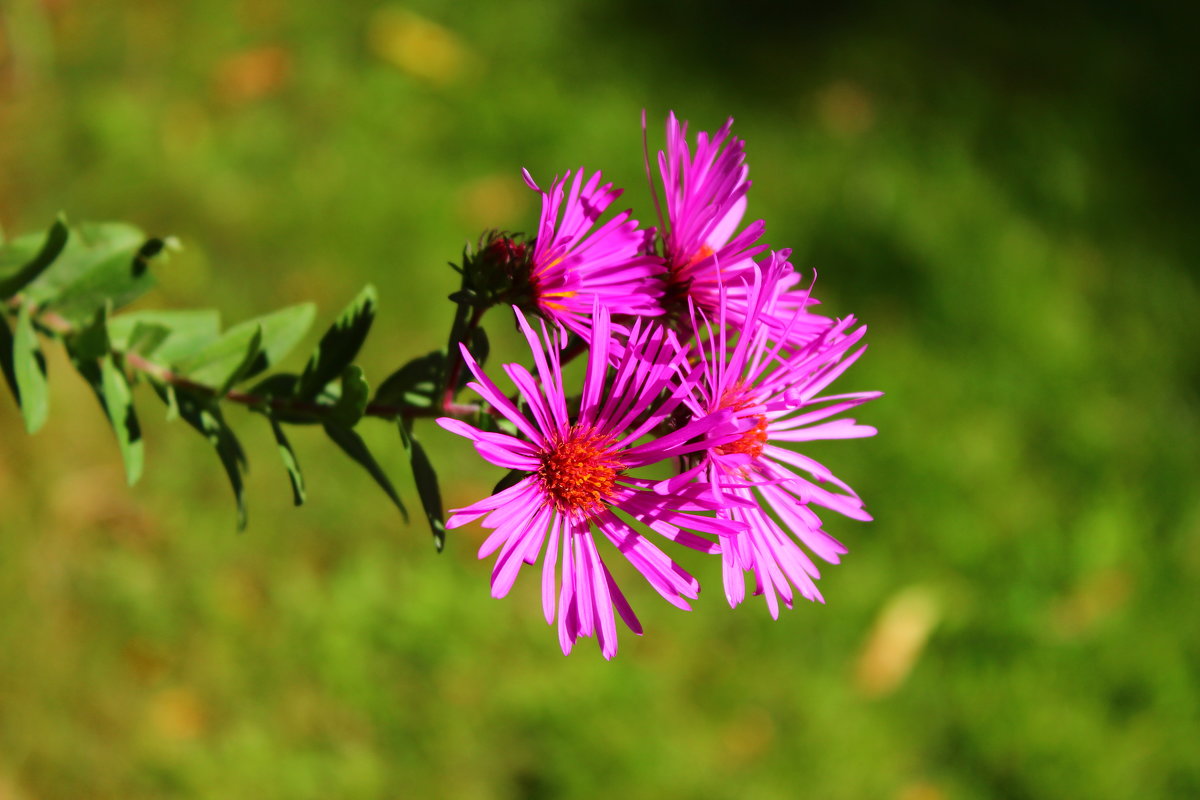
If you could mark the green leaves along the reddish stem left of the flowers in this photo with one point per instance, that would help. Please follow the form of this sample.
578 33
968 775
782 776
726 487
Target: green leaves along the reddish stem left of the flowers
71 286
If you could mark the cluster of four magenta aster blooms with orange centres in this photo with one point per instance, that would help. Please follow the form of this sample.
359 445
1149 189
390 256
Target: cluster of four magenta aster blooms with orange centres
704 358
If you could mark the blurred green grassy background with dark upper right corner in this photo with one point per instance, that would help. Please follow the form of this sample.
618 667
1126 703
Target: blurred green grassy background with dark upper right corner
1007 199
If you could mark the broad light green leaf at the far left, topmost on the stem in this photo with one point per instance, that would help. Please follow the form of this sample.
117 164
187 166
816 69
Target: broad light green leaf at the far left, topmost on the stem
101 264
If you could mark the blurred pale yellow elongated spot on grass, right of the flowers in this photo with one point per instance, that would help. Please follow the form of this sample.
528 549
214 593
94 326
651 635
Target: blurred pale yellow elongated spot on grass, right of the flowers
896 641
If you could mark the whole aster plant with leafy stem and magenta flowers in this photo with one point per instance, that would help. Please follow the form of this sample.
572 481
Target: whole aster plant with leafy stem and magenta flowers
706 369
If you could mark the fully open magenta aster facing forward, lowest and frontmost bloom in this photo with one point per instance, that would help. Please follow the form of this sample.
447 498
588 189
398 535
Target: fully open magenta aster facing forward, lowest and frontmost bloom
578 464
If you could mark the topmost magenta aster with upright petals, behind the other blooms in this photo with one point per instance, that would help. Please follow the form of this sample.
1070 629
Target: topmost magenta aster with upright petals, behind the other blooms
710 262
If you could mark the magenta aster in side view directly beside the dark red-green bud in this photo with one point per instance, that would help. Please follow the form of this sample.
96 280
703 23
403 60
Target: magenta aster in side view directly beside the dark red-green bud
573 267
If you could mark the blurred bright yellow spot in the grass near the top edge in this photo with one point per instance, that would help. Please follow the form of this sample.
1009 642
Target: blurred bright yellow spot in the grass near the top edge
417 46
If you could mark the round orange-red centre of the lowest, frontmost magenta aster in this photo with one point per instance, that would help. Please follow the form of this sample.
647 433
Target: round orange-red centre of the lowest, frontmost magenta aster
579 472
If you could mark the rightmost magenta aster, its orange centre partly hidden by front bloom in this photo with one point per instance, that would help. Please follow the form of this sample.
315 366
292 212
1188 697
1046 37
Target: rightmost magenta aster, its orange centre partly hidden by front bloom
775 393
